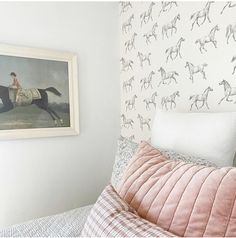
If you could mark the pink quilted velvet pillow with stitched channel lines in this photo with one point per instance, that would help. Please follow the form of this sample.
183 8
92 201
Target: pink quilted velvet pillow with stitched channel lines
183 198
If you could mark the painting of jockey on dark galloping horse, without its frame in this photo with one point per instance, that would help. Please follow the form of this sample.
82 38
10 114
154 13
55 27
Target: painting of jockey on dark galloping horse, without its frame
34 93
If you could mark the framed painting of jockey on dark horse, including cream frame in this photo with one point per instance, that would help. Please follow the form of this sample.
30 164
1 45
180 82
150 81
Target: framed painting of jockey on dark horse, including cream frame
38 93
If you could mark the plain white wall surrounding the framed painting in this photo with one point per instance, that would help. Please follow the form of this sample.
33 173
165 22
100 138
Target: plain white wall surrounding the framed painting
45 176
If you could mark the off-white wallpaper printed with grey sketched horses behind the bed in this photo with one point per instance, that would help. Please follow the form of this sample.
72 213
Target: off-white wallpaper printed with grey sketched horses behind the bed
175 56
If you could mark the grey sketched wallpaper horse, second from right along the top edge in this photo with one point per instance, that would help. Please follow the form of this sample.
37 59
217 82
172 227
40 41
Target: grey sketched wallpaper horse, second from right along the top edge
202 14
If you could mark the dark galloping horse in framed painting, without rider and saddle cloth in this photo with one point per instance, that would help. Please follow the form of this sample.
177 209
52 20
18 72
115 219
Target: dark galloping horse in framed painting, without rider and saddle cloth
41 103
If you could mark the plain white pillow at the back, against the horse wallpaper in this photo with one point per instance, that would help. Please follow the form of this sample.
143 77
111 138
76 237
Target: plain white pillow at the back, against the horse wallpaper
211 136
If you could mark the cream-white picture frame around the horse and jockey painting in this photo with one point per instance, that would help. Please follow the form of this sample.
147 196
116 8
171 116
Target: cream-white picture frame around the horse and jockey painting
69 59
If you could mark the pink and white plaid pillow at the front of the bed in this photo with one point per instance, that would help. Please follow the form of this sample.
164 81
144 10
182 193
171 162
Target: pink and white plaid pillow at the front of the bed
113 217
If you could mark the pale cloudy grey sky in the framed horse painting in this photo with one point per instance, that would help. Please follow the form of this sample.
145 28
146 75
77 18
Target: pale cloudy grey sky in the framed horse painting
36 73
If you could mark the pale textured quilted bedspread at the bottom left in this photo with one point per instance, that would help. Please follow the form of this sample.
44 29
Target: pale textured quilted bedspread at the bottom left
67 224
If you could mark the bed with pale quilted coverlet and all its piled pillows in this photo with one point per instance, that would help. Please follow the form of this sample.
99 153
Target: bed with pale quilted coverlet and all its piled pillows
156 191
